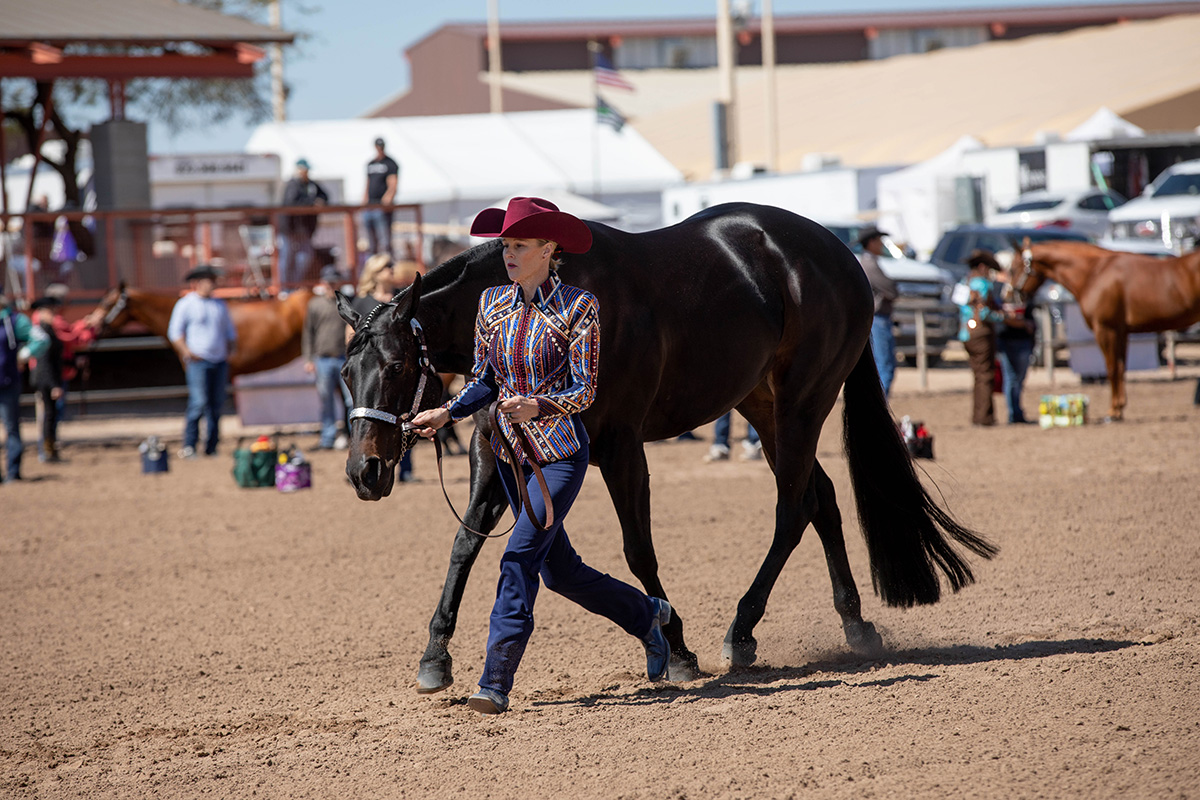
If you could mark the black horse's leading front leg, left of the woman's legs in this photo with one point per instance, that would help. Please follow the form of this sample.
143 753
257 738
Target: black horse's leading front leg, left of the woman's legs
488 506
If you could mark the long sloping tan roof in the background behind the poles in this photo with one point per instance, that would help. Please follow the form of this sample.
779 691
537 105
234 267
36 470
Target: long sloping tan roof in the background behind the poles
910 109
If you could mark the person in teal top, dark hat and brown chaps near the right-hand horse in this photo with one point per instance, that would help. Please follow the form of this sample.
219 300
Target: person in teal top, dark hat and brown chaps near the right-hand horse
980 315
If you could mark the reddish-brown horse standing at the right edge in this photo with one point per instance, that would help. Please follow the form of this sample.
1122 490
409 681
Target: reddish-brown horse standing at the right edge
1119 294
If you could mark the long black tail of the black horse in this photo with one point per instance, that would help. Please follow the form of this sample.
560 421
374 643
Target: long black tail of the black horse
908 534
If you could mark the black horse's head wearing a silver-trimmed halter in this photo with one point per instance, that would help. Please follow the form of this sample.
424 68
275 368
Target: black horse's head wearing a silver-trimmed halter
391 378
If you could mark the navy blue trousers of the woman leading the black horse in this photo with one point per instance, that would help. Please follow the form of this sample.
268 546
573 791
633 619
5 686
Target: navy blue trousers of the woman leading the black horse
532 552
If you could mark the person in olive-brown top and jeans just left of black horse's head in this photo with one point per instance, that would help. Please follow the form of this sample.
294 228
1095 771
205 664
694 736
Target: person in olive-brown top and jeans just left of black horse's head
323 345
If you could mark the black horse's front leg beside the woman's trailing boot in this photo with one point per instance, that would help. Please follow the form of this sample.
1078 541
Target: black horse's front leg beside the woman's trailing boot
622 461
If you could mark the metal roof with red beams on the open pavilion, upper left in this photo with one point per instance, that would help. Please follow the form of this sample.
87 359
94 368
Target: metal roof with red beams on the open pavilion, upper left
35 35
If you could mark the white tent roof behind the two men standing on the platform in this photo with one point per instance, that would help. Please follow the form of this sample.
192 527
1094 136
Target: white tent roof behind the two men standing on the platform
476 159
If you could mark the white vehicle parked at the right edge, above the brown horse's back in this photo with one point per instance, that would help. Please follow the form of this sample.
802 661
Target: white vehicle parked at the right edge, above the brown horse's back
1168 212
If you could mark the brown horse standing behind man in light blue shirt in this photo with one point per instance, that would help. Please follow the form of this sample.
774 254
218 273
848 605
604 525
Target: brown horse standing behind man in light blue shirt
268 330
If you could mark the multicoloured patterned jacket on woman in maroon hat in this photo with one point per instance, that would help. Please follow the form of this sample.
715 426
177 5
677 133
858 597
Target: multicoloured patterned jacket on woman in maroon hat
548 352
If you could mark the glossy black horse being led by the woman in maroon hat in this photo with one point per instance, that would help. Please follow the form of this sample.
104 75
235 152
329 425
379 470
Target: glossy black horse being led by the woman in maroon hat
741 306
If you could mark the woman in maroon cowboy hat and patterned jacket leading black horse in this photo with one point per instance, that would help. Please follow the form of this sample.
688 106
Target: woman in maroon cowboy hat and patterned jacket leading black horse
537 345
